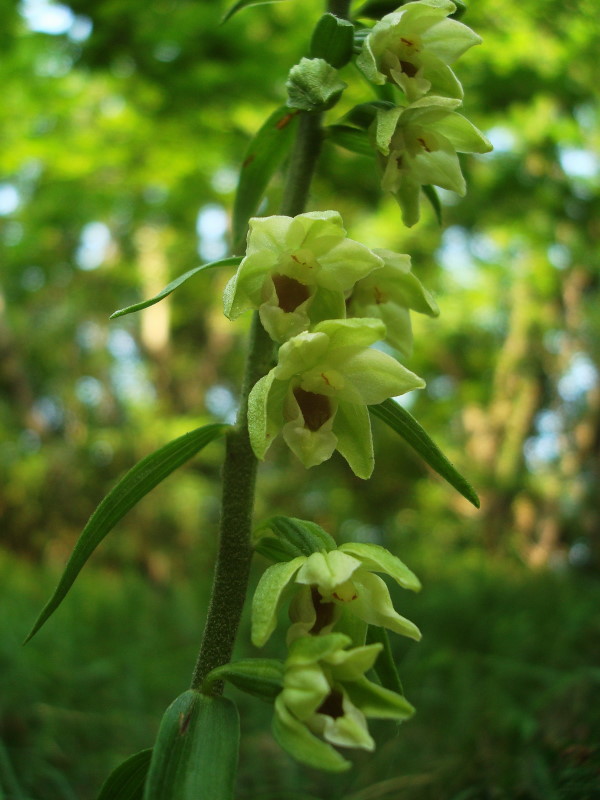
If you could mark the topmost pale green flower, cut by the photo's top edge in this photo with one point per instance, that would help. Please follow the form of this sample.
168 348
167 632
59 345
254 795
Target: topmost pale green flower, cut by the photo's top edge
413 46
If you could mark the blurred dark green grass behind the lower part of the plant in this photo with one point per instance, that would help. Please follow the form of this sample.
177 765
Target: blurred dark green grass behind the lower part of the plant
505 683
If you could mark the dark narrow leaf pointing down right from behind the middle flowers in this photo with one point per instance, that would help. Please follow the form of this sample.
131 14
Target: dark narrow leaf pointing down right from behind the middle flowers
407 426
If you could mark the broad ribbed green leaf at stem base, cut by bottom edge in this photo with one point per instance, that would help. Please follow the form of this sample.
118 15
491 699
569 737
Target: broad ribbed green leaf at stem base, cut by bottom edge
196 751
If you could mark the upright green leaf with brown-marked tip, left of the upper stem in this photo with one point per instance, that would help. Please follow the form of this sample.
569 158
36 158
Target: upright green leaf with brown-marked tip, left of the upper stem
265 153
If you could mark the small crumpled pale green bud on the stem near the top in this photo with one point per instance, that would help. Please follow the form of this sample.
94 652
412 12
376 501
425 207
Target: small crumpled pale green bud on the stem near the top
314 85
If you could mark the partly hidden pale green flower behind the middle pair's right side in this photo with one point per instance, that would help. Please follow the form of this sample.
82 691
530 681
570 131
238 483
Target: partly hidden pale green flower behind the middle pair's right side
389 293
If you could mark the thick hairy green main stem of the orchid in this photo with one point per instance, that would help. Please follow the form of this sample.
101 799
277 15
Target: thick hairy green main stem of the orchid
239 470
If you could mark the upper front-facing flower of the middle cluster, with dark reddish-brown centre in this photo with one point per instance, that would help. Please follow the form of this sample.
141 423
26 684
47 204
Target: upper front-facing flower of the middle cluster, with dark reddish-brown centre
297 271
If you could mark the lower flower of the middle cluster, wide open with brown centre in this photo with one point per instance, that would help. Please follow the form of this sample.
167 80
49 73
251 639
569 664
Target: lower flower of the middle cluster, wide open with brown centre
318 393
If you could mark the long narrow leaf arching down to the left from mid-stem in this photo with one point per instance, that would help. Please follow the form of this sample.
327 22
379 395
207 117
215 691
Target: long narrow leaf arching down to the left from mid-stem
147 474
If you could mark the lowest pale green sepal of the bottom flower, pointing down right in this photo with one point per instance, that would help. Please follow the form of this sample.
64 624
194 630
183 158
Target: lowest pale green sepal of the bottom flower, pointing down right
300 743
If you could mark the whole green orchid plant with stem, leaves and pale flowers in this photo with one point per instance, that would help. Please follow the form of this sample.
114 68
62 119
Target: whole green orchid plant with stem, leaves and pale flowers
331 326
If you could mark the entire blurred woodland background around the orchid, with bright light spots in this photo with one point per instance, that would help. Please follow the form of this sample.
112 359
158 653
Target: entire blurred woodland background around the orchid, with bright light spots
123 125
